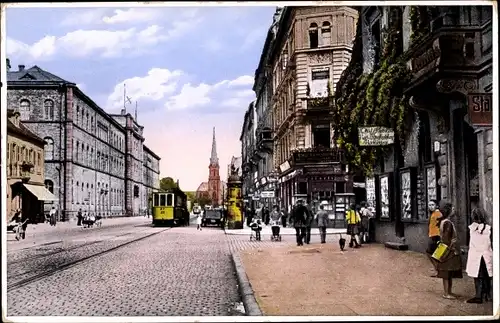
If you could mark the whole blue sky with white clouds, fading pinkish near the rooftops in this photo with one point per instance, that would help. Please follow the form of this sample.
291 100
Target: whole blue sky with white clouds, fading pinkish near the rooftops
189 69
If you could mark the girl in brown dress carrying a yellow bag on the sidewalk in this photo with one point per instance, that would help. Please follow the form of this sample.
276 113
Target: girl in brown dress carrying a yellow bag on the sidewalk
449 266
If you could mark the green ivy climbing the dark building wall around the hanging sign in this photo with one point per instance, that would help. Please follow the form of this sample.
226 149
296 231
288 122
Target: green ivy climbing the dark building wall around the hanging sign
371 99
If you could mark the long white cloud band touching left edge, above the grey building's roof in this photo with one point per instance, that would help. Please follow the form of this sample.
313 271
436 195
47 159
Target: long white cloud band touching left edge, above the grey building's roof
82 43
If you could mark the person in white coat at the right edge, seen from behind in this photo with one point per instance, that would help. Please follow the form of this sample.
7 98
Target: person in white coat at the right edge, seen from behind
480 257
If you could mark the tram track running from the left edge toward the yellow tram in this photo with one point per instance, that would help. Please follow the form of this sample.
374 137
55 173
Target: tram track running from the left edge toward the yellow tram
31 279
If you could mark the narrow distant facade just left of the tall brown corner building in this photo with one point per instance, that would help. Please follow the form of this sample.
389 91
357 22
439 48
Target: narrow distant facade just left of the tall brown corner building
248 165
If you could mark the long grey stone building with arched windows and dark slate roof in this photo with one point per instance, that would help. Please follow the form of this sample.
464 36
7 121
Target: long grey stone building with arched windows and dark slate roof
93 160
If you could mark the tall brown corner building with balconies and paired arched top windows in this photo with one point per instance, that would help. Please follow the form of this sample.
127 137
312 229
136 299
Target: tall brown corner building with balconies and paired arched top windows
304 55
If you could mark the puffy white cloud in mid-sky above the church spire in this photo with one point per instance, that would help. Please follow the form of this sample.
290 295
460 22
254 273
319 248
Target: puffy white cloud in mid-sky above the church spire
170 89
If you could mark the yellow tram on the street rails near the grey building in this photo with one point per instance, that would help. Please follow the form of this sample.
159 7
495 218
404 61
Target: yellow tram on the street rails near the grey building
170 208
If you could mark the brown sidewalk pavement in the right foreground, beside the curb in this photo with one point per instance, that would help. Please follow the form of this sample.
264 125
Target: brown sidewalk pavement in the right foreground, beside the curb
319 279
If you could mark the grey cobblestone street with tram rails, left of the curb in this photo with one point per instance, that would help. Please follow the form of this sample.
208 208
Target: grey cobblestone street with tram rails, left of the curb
178 271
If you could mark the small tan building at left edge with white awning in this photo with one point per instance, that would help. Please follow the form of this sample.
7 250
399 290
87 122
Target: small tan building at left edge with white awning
26 189
